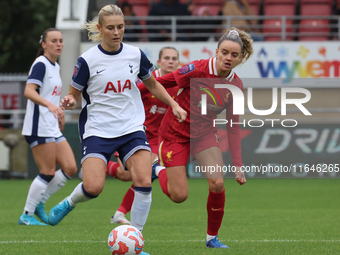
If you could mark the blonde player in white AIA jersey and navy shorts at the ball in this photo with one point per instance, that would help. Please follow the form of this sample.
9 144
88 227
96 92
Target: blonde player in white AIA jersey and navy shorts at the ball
113 114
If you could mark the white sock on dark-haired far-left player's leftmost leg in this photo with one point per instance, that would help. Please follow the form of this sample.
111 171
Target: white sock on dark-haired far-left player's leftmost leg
35 194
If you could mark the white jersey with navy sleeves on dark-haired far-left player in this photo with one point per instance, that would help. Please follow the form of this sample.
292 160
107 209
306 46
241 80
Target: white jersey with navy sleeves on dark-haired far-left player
39 121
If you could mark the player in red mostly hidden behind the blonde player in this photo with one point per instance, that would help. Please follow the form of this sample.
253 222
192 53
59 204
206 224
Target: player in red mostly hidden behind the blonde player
155 109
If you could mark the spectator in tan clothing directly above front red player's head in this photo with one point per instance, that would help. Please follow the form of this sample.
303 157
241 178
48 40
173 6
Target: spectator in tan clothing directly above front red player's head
241 8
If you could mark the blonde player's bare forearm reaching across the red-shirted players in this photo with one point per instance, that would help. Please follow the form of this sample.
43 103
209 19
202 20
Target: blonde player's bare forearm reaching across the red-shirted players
159 92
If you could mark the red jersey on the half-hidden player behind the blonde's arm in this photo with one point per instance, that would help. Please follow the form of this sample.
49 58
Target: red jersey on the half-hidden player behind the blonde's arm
154 108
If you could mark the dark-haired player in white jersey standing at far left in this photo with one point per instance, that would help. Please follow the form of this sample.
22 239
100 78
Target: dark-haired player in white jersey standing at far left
42 128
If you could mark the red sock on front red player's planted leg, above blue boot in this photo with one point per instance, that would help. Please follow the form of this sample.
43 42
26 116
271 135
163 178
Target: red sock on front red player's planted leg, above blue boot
215 208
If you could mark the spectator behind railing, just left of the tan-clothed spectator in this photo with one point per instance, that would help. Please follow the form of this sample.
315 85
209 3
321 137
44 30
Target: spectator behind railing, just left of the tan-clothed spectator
204 11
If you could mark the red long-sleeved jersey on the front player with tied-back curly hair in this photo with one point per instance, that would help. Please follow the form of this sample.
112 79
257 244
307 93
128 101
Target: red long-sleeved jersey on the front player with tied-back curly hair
189 98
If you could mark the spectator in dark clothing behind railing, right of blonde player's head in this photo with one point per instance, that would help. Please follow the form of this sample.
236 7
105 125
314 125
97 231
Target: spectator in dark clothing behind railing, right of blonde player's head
168 8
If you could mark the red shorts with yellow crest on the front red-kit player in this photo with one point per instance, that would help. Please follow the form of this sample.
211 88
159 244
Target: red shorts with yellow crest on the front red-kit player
177 154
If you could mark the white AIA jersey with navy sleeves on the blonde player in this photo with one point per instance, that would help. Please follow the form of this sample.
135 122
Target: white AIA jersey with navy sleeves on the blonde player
112 104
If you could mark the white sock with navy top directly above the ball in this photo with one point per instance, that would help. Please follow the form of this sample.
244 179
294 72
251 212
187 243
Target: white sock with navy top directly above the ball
140 207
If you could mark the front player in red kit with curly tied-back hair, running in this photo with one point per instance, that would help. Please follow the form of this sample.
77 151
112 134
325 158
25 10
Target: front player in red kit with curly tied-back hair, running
197 135
